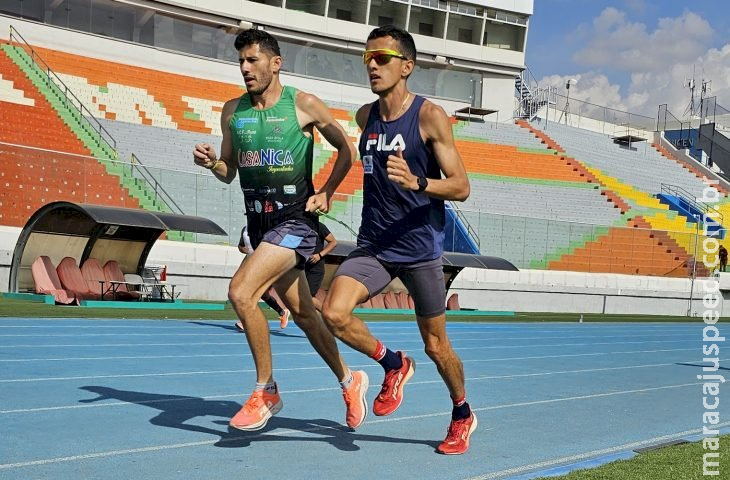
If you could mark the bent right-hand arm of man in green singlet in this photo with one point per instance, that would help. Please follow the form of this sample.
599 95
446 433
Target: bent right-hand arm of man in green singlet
314 112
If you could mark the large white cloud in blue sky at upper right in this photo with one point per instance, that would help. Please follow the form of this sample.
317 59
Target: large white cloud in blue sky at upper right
656 63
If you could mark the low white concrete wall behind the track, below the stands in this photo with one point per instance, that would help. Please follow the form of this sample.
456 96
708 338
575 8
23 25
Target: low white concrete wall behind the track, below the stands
203 271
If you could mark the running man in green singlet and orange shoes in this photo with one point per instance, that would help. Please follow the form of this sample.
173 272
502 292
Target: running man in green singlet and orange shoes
268 140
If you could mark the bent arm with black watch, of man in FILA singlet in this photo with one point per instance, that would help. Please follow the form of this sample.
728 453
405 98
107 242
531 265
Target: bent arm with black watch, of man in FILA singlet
436 131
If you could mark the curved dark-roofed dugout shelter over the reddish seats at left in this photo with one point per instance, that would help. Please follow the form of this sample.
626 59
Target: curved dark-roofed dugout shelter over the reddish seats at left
81 231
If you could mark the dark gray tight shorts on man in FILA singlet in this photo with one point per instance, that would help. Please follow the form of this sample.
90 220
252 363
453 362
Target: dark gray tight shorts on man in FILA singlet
424 280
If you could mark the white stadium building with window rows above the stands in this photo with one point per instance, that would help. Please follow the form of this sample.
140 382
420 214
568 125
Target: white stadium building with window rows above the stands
469 52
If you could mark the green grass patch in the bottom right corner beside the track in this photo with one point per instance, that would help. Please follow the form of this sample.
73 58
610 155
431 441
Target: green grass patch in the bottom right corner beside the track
679 462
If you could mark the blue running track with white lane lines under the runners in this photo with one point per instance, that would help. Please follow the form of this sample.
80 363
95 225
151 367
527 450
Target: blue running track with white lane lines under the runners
139 399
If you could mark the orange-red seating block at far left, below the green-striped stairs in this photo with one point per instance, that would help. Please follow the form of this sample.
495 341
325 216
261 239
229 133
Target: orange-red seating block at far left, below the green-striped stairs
33 177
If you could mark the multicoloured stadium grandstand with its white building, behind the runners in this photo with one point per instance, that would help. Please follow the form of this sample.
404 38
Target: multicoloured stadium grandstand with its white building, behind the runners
103 100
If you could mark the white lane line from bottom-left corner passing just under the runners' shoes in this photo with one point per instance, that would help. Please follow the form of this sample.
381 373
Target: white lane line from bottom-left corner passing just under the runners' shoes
156 448
